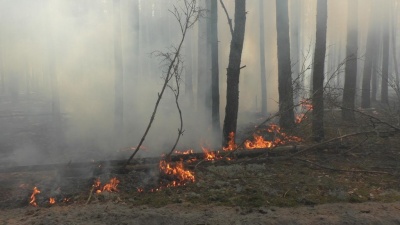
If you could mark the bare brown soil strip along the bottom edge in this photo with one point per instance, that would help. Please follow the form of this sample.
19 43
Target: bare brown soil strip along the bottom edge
187 213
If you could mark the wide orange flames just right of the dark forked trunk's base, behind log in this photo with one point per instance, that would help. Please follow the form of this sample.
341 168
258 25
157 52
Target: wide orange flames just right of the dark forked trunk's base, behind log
279 138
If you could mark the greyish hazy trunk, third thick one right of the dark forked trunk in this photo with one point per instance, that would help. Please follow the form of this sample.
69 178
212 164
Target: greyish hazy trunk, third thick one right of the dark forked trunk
350 82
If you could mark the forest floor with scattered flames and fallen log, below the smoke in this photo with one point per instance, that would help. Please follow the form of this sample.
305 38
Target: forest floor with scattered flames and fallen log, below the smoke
347 180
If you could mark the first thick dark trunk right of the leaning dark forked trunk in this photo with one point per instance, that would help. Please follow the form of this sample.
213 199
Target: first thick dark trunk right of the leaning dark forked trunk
285 88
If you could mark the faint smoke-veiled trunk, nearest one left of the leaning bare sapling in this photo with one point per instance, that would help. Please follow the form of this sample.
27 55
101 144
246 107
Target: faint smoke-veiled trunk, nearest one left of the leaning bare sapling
118 69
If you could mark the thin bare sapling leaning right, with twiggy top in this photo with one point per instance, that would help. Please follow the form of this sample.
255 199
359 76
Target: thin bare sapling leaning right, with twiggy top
191 14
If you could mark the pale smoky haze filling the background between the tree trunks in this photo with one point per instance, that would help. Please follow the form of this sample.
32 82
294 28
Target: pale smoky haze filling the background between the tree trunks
74 40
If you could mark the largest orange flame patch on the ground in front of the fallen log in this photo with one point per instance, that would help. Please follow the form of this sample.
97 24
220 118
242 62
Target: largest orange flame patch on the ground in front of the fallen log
178 172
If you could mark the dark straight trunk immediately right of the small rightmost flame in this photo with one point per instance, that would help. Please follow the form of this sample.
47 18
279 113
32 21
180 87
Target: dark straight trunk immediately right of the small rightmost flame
318 73
